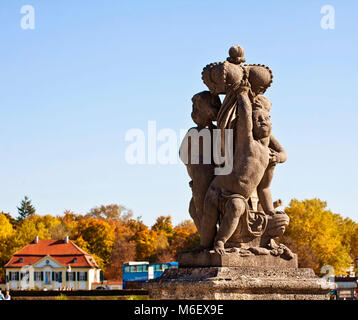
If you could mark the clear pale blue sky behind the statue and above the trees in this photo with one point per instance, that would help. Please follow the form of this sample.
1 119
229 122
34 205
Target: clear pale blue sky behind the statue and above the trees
91 70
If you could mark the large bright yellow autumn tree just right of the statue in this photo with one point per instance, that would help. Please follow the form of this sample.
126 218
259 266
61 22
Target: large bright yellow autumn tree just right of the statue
316 232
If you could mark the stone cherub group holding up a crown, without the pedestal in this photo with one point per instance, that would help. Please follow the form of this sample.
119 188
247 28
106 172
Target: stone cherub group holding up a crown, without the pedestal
222 206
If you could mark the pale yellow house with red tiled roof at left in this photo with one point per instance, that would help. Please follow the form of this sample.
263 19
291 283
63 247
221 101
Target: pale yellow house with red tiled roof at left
51 265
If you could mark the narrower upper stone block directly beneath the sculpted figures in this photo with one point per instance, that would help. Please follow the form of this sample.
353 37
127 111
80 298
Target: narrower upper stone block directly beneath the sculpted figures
234 259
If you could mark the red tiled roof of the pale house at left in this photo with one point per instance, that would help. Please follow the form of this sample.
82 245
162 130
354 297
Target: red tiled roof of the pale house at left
62 252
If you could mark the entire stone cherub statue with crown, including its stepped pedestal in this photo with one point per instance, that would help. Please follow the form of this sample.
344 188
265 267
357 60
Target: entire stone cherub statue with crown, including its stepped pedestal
239 257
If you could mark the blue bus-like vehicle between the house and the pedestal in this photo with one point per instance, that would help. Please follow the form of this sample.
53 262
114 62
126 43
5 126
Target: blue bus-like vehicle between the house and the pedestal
137 272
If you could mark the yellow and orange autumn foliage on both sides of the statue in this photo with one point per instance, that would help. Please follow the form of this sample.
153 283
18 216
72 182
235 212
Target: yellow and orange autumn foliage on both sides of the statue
319 236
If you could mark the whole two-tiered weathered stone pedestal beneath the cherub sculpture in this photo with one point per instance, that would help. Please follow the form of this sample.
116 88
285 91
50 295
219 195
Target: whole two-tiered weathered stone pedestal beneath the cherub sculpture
238 275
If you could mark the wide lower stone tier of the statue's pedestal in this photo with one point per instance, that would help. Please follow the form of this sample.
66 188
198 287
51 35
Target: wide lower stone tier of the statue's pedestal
239 283
